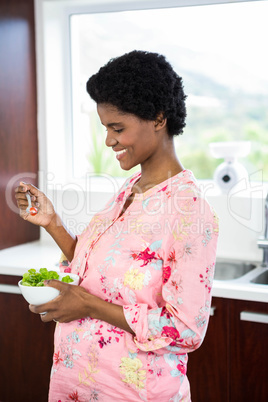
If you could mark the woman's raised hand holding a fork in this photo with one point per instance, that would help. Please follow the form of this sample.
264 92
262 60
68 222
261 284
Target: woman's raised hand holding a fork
46 212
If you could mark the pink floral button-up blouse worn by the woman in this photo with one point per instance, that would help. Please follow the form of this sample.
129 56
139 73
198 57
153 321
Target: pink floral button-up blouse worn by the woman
157 261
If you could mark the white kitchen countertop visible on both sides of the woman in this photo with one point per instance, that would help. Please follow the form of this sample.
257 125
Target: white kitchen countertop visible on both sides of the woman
17 260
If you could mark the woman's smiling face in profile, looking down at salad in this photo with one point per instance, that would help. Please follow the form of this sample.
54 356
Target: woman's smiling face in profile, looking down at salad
134 141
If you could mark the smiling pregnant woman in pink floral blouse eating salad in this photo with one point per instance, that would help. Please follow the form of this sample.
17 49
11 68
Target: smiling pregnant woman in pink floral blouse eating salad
146 262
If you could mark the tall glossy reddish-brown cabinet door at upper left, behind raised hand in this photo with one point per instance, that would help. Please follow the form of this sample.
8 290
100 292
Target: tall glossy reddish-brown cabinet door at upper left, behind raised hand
18 111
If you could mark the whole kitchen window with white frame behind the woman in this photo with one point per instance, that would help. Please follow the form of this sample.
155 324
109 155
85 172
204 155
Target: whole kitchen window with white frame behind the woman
218 49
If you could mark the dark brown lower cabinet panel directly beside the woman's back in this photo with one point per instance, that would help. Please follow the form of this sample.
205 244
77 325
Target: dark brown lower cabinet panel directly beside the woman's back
208 366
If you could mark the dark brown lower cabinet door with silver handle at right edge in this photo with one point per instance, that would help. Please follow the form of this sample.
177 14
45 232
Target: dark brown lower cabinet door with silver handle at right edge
249 351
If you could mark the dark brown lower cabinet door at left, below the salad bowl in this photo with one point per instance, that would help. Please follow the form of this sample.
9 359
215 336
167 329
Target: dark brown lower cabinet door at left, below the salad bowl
26 350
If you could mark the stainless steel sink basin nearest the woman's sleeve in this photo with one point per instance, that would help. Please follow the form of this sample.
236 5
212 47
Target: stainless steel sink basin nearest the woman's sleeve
227 270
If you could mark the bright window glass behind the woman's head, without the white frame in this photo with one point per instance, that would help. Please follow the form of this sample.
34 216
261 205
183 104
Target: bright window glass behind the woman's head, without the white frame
221 53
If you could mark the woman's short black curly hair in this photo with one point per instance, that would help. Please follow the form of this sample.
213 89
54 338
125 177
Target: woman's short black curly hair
144 84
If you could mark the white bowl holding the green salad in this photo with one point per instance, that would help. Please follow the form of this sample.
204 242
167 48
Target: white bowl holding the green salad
42 294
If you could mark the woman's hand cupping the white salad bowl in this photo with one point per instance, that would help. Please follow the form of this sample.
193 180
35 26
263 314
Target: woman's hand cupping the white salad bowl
73 303
